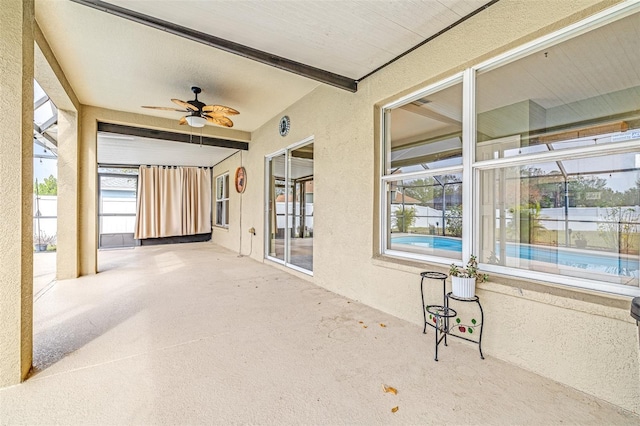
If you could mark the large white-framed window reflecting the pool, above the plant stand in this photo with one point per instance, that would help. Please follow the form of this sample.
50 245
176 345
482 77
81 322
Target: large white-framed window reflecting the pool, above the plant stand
550 149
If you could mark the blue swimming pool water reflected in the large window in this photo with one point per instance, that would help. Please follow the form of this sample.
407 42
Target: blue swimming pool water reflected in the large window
602 262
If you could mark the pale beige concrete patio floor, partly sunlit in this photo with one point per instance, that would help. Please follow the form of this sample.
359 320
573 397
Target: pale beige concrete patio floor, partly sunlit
194 334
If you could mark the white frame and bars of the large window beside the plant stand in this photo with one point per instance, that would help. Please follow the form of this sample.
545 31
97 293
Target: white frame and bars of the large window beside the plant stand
471 169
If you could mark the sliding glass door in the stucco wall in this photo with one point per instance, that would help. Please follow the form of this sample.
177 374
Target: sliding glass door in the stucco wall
289 209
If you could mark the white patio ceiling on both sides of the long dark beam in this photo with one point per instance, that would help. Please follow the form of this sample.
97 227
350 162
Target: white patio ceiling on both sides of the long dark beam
115 63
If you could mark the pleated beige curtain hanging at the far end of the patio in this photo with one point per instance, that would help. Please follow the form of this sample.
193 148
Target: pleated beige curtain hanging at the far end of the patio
173 202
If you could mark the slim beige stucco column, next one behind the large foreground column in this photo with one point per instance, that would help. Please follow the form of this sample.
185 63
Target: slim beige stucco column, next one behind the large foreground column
67 262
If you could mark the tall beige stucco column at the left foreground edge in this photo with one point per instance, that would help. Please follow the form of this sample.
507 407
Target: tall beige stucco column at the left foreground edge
16 189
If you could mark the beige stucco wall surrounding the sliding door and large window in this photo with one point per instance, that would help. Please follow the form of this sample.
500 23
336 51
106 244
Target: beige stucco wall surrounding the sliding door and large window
584 340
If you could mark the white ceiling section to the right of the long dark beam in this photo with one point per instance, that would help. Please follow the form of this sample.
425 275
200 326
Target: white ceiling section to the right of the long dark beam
349 38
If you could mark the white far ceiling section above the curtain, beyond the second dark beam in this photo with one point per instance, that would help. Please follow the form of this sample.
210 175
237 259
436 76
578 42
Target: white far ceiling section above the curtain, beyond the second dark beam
130 150
